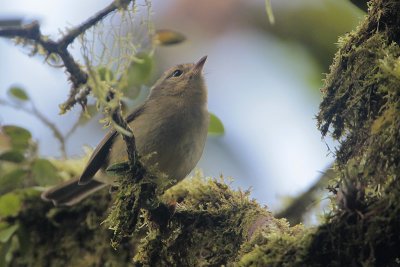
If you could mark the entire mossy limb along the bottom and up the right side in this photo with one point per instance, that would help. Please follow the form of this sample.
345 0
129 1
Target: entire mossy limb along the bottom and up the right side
214 225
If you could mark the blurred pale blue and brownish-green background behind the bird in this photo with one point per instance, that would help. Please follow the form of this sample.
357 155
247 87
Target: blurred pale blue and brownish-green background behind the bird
263 82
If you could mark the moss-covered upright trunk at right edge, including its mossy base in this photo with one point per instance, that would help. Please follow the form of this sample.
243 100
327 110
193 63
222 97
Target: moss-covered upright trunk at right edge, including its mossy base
361 108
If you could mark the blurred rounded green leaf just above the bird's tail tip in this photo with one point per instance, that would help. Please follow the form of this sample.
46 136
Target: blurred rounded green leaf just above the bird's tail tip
44 173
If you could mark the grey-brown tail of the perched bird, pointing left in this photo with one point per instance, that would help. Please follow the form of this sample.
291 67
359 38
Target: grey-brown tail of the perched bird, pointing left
70 192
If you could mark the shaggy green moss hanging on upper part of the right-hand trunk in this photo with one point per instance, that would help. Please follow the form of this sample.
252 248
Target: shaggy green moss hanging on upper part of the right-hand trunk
361 105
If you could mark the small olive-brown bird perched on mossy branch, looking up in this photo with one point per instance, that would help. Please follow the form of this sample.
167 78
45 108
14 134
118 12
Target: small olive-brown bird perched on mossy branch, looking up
170 129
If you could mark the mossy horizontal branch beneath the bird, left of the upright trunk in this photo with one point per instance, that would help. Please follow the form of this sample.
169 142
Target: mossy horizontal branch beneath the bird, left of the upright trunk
209 225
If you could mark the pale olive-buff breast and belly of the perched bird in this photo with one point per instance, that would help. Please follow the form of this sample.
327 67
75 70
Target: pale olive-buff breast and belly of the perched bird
172 142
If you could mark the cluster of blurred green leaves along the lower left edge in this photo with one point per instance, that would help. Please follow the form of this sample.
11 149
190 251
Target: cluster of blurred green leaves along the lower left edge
22 174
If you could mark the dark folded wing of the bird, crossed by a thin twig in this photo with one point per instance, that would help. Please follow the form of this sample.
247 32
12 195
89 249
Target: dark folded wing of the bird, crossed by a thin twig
102 150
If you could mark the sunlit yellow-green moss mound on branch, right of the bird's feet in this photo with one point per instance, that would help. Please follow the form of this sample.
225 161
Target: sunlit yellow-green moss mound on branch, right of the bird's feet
209 225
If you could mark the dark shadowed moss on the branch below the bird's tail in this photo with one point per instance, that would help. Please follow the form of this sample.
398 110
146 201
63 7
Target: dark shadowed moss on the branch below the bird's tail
70 236
